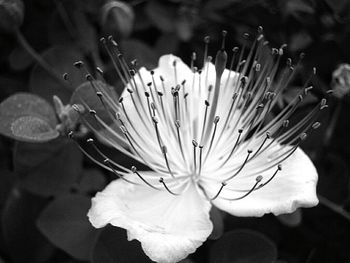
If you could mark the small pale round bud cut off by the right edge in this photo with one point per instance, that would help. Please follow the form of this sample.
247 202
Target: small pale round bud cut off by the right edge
341 81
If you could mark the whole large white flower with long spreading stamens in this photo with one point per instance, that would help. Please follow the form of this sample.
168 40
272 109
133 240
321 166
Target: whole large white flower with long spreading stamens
209 139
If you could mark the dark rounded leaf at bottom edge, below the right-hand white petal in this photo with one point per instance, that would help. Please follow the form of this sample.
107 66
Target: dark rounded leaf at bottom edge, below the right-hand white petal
243 246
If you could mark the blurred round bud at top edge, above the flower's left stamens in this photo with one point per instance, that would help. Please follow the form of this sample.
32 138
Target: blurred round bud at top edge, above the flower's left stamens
117 18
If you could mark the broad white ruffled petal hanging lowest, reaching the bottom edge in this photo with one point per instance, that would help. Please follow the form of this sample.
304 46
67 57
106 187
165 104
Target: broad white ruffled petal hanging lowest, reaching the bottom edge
169 227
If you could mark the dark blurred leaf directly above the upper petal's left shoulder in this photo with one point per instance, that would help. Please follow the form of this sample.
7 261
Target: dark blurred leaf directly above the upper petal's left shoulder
135 49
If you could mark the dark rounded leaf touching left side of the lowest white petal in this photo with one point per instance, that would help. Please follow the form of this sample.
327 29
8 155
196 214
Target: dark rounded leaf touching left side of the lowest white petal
65 224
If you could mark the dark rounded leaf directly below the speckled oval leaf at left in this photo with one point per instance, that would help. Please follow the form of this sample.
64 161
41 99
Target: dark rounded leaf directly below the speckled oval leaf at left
48 169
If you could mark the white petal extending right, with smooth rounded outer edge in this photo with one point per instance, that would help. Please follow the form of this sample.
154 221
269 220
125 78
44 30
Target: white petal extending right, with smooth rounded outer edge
293 187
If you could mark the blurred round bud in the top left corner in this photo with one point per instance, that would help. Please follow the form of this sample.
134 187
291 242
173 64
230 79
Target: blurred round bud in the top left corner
11 14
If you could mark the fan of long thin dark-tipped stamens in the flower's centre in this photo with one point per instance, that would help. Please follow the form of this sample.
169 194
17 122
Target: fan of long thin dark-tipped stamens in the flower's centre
199 129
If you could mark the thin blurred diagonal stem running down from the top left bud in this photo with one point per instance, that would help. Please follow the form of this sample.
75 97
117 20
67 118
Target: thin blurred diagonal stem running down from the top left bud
24 43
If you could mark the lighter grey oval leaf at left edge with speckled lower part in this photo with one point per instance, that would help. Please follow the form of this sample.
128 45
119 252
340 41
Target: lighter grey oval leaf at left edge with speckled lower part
27 117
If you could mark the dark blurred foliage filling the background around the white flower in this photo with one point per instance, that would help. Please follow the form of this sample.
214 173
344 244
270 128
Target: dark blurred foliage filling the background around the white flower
45 187
